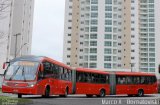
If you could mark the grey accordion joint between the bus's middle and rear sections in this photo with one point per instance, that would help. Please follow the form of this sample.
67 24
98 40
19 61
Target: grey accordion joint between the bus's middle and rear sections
112 82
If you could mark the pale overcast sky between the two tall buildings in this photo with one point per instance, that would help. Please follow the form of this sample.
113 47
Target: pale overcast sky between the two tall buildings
48 28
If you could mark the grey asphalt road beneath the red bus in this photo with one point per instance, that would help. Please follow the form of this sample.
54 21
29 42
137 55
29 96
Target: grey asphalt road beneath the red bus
83 100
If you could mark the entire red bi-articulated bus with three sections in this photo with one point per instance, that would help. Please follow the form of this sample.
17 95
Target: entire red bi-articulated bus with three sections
31 75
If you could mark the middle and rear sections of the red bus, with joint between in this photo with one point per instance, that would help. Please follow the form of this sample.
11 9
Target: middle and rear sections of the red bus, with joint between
100 83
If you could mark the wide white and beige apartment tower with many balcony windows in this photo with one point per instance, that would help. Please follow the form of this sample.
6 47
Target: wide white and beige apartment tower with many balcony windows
112 34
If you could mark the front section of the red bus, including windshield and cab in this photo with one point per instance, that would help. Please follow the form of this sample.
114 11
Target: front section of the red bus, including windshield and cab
31 75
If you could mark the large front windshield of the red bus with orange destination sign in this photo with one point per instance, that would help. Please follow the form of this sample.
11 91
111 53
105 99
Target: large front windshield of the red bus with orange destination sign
22 70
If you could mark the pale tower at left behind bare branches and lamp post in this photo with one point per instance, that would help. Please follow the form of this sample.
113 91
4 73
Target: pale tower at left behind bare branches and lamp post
16 21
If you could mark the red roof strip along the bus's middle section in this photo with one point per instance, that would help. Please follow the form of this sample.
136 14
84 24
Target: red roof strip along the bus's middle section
91 70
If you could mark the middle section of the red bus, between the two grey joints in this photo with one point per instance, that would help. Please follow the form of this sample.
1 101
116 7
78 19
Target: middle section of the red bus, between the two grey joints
92 82
